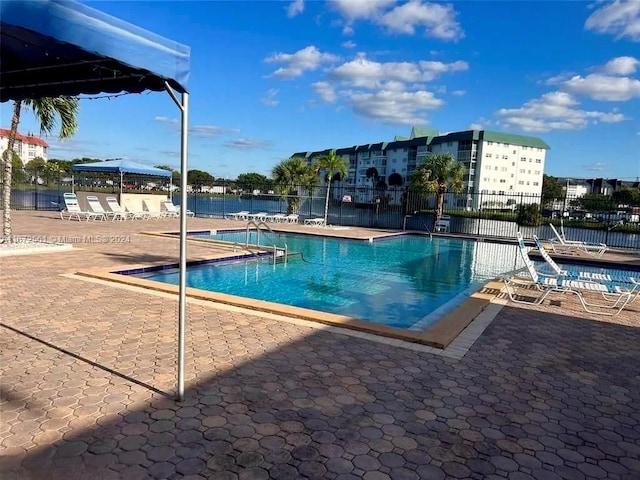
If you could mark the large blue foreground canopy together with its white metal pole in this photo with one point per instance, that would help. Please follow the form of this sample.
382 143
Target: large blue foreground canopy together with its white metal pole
50 48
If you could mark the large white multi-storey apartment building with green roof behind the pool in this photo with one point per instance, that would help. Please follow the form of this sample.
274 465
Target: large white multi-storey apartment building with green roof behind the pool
499 167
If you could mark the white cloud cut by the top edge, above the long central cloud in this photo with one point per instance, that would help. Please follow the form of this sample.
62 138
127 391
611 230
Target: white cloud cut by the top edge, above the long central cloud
436 20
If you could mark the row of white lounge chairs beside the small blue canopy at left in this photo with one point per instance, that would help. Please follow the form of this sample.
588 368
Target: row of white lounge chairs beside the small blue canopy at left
72 210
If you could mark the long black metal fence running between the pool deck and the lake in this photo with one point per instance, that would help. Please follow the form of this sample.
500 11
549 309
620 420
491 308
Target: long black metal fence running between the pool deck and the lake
588 218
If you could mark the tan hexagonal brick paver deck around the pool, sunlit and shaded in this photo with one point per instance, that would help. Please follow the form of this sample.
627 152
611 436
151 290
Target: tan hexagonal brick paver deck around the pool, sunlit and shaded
88 371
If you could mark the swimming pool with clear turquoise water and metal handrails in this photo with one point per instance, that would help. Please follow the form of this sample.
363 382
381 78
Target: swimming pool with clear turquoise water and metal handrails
405 281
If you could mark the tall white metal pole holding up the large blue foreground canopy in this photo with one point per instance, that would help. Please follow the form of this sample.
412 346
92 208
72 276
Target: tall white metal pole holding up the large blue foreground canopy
182 300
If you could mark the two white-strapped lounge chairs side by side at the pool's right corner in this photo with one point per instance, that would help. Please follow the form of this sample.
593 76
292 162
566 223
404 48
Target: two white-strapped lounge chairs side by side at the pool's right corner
612 294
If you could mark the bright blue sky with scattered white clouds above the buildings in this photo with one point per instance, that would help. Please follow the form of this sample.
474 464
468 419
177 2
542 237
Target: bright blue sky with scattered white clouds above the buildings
272 78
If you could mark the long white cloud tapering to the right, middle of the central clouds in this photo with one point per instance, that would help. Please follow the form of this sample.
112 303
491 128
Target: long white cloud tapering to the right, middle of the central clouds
366 73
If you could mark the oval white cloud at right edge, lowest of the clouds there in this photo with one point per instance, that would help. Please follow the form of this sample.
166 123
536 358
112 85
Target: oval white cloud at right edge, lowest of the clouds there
604 87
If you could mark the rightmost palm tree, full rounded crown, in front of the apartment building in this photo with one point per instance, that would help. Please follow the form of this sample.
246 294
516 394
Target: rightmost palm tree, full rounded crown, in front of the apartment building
439 174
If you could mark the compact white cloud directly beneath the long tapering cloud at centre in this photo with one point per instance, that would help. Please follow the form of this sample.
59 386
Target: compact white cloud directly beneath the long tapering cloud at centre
393 107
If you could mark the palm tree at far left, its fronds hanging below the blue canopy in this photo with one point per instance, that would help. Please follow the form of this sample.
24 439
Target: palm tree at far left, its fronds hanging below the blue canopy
47 111
